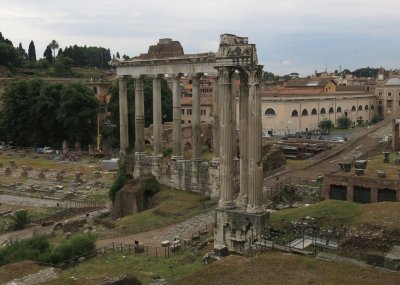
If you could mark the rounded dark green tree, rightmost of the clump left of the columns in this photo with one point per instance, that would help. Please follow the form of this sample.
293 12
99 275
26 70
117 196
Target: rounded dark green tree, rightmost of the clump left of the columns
78 113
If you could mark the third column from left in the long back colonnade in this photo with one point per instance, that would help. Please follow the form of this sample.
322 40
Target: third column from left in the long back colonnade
157 117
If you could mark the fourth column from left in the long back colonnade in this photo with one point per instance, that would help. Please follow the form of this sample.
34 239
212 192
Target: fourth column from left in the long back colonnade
177 126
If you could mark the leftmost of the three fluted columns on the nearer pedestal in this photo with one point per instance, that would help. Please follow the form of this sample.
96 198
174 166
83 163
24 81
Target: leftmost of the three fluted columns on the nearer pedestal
226 139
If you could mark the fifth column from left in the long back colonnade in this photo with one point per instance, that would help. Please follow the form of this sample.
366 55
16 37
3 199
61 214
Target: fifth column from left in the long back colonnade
196 129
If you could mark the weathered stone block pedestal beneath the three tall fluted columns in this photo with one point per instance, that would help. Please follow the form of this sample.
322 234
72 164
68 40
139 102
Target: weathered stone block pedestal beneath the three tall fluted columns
238 230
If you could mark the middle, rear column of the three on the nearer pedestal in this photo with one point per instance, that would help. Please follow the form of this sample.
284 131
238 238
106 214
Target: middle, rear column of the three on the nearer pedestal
243 139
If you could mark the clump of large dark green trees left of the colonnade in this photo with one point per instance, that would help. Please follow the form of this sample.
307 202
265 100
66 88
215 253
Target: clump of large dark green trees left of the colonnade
41 113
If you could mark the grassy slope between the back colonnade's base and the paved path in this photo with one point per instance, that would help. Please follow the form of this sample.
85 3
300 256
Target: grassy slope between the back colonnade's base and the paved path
172 206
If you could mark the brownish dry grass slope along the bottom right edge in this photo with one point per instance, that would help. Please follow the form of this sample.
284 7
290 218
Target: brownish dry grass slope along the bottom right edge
278 268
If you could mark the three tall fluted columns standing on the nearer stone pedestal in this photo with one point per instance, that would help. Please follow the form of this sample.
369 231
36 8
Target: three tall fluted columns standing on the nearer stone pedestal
250 140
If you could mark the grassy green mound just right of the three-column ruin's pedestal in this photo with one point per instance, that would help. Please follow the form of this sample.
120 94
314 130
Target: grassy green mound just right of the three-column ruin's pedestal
332 212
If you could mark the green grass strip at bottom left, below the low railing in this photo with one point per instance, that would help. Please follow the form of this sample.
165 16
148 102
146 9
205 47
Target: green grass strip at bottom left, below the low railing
142 267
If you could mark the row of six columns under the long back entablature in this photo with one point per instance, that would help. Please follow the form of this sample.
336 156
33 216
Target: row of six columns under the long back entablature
157 117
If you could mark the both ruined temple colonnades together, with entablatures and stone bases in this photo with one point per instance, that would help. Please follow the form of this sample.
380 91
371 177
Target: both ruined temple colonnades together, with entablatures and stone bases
239 217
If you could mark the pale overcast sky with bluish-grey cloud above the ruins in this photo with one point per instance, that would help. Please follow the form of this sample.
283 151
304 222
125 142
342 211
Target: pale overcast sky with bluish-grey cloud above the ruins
290 35
